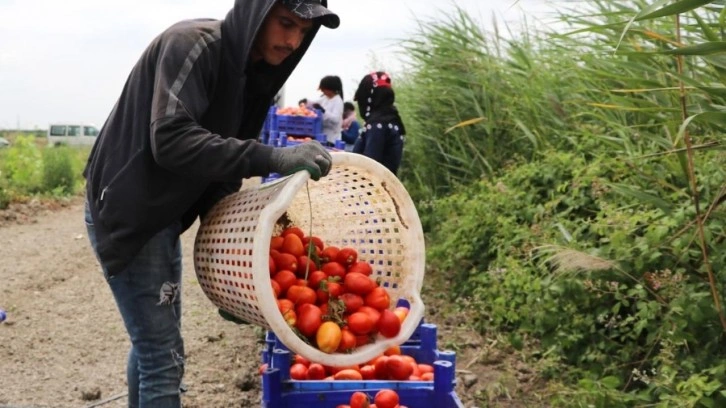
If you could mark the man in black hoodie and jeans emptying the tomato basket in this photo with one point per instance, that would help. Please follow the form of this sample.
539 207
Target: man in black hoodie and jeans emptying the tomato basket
182 136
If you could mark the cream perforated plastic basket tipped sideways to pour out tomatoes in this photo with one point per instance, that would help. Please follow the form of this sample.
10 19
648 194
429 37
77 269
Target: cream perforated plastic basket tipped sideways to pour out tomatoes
360 204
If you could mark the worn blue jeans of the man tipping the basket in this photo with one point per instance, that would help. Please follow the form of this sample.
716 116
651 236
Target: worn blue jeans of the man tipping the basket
148 295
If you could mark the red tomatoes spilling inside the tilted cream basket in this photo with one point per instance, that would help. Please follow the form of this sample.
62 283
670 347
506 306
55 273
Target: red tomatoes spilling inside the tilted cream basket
327 295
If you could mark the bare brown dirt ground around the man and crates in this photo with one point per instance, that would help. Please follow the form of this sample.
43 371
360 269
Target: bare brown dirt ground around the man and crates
63 343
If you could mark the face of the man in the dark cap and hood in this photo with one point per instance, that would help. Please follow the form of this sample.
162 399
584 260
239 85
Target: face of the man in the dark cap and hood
281 34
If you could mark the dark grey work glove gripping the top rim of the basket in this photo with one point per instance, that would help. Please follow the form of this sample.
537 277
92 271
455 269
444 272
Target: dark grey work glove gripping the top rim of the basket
310 156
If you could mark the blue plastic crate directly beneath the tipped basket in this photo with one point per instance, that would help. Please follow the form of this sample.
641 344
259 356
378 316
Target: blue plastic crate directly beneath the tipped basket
279 391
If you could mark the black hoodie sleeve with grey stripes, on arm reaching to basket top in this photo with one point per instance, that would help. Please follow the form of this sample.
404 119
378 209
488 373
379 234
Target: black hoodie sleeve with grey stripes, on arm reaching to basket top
184 80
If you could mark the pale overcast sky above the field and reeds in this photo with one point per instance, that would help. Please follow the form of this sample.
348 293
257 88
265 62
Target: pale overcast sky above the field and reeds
67 60
